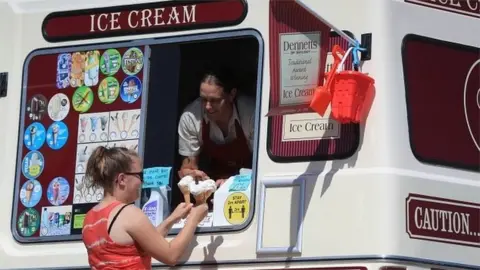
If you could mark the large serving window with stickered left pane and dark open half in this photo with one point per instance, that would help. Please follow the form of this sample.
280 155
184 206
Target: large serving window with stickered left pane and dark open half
126 94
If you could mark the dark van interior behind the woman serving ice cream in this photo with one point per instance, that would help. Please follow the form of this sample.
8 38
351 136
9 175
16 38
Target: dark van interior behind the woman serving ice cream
174 80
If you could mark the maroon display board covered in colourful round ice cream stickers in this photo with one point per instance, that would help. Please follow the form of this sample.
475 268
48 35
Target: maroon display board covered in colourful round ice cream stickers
74 102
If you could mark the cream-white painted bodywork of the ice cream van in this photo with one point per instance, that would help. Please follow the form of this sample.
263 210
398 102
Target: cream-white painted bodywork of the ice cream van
355 209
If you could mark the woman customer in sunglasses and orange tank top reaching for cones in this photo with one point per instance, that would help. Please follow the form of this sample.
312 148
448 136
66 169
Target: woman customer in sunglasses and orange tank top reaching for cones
116 233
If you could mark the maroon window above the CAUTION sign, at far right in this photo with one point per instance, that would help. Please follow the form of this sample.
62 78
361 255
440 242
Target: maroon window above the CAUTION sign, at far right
443 103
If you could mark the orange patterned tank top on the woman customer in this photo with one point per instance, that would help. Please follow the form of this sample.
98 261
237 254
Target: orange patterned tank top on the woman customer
103 252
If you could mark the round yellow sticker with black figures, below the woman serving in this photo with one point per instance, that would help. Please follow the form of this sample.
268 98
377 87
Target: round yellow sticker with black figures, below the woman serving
236 208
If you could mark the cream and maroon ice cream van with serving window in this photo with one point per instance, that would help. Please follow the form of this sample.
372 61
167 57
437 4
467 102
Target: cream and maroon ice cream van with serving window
394 185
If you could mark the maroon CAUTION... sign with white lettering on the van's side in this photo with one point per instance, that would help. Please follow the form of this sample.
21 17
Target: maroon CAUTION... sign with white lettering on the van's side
443 220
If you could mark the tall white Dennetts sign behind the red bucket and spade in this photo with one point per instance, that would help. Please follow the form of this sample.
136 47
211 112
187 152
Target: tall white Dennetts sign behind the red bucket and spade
300 64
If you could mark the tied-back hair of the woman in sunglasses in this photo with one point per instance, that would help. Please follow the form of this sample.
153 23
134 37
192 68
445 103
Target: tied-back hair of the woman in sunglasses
105 164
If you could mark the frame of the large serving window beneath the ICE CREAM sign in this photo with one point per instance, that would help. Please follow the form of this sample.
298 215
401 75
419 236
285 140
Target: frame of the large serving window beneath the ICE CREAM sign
146 42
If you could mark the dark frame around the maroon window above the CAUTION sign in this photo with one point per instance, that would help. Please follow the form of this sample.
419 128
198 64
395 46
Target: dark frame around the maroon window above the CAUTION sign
429 40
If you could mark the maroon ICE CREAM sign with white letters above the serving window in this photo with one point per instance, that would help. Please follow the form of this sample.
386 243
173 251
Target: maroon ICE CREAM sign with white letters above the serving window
142 19
